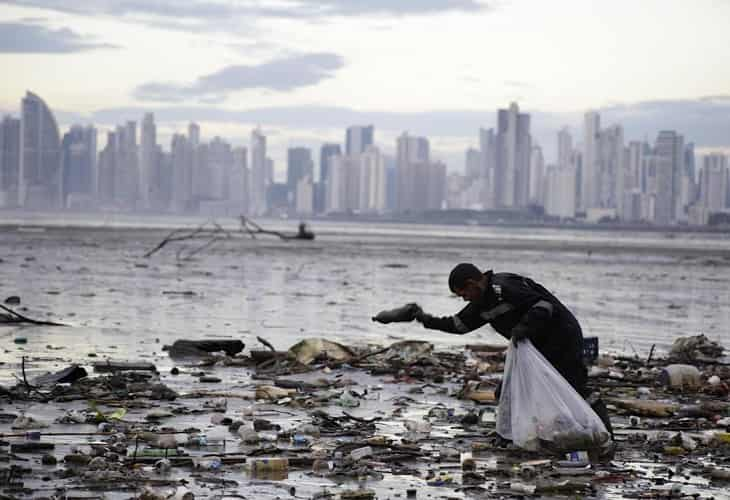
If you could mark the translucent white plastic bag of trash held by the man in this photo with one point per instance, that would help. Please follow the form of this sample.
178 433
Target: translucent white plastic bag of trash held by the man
539 408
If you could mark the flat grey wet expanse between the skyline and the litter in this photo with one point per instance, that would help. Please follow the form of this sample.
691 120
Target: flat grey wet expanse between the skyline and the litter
631 289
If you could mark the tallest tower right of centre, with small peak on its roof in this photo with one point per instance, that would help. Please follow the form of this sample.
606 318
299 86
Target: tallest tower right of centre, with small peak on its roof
512 168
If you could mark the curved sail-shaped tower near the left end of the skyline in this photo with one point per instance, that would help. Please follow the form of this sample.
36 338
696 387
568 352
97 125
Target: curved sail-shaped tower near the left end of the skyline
40 173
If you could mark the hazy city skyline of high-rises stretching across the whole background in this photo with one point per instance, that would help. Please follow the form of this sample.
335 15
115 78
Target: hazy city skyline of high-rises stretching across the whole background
606 177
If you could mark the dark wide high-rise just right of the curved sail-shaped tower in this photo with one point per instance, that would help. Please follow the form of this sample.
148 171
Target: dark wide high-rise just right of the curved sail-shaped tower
79 167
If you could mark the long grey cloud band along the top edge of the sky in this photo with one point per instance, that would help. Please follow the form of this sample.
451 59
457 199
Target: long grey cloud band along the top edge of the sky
219 15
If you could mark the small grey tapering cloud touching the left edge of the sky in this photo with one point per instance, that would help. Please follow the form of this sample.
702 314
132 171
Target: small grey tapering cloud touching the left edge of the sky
24 37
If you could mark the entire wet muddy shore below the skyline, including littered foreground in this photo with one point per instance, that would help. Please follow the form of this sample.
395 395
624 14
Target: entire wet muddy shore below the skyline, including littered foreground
398 424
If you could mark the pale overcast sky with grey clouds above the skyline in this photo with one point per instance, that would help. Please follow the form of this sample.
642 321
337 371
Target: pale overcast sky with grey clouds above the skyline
306 69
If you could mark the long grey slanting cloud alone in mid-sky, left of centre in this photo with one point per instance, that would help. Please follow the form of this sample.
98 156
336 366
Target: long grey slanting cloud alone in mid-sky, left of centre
286 73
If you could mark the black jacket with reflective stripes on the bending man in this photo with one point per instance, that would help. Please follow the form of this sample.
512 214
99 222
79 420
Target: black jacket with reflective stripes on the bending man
511 301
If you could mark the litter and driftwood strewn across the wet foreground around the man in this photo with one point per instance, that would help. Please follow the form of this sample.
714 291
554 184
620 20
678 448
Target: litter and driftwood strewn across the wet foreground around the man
324 420
